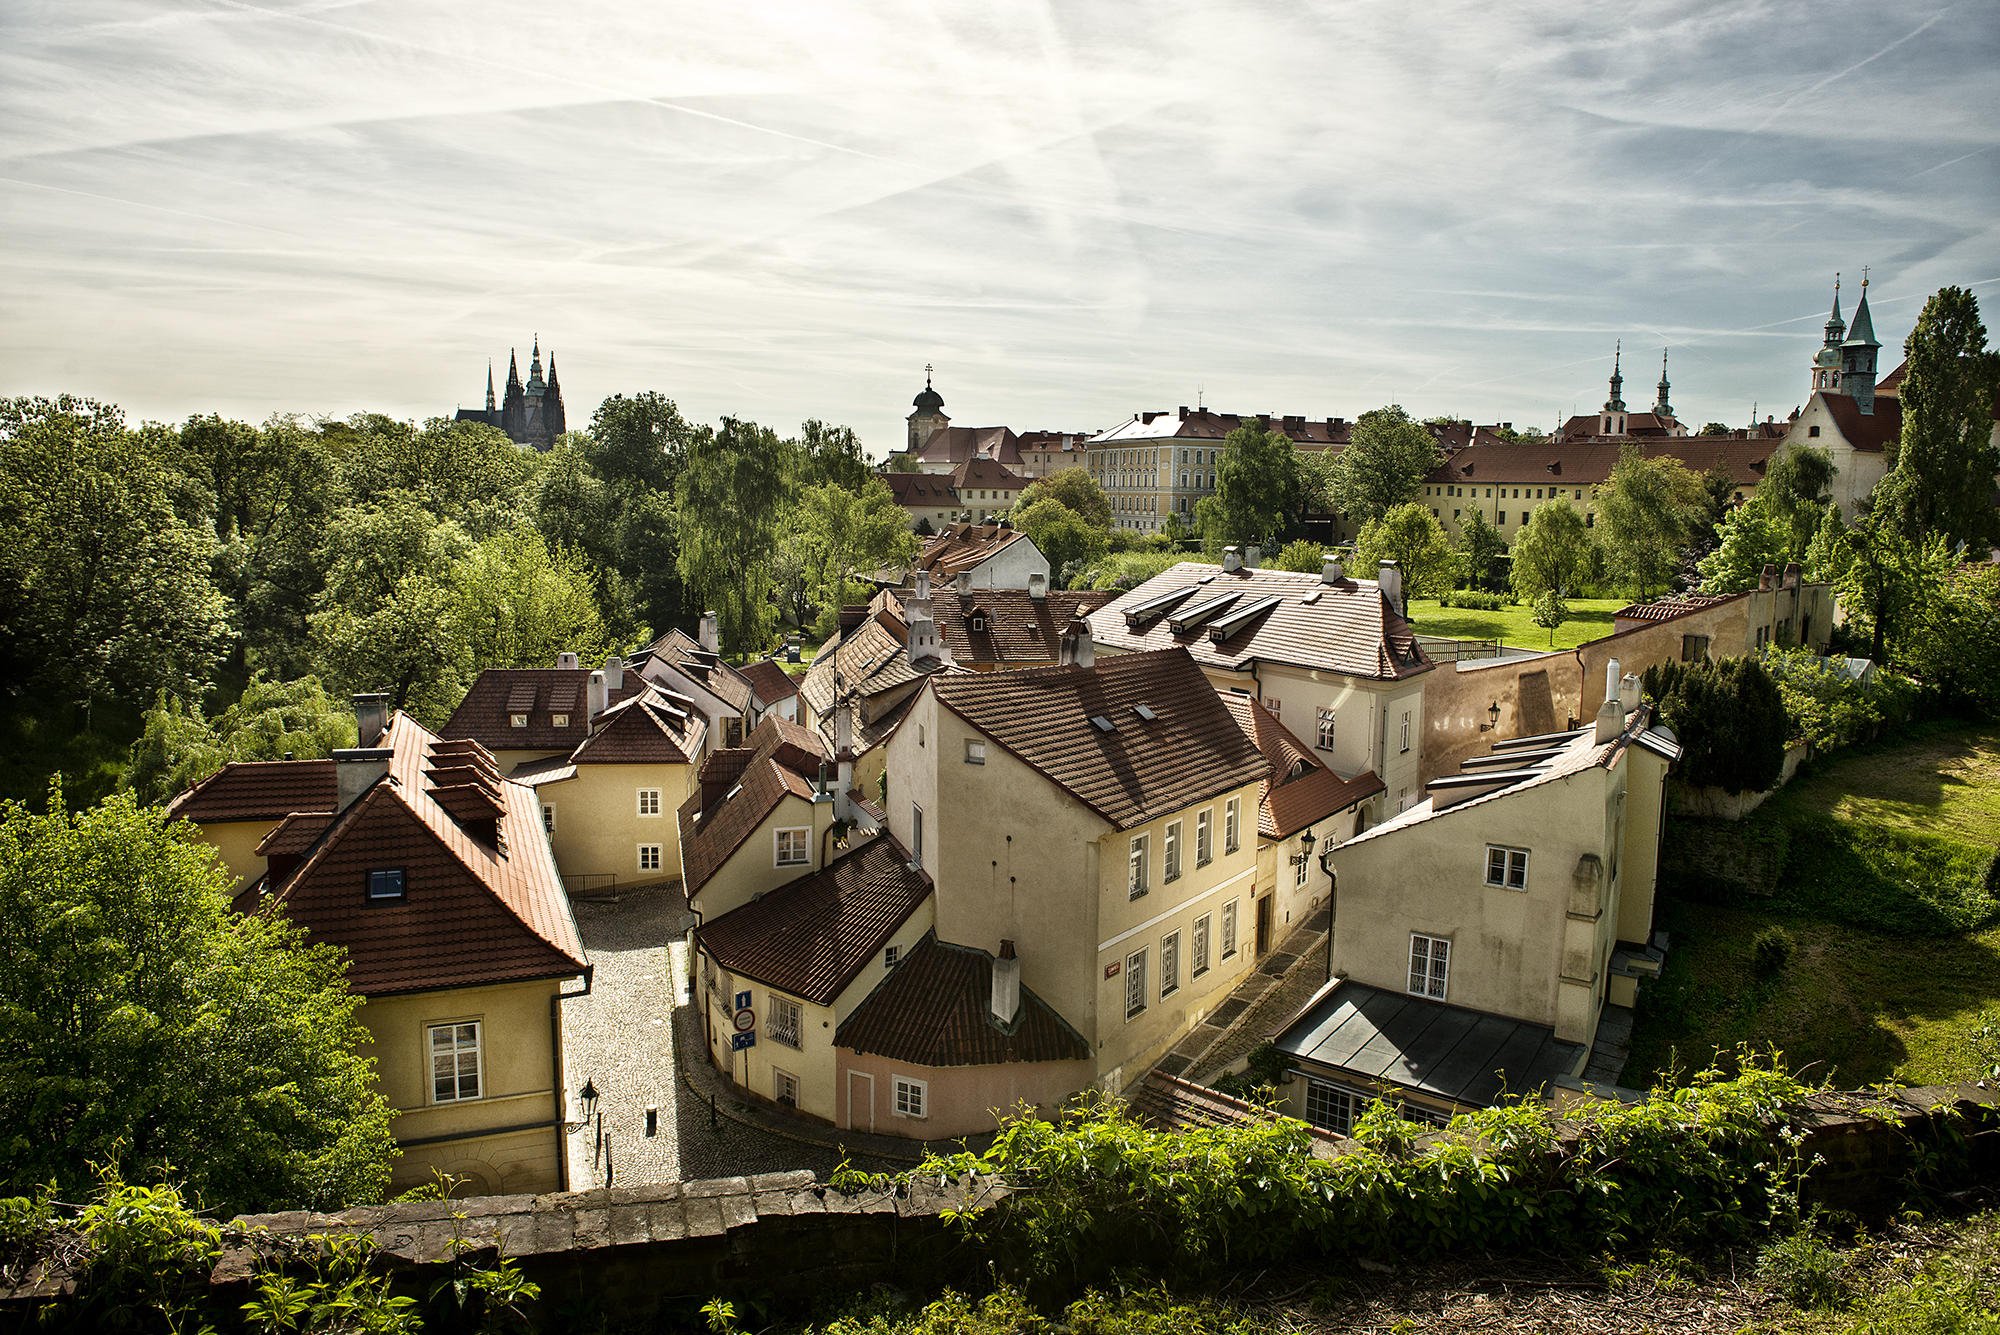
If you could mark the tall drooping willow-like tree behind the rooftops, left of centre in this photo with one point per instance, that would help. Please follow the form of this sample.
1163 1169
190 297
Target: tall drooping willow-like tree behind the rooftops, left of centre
733 499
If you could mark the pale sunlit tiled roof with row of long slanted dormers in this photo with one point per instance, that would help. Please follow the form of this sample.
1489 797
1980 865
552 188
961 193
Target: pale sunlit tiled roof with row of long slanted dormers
1345 627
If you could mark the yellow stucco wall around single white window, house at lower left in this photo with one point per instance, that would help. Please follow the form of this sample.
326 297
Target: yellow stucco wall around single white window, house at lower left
517 1086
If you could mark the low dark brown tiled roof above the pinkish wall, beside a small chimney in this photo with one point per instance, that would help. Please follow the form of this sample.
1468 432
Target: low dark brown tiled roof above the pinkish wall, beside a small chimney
937 1010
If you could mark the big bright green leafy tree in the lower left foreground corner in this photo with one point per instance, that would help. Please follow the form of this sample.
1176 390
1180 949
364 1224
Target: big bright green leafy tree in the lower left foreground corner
151 1028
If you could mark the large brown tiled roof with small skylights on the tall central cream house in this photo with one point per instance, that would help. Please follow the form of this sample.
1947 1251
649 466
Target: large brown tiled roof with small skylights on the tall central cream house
1141 768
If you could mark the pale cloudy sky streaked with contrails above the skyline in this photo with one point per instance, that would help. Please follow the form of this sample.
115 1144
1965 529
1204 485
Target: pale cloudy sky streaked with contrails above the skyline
1073 211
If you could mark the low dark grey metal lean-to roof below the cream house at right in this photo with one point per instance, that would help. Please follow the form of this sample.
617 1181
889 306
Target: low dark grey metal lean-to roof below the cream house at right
1445 1050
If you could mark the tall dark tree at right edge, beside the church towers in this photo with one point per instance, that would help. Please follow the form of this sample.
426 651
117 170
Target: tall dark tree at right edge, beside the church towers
1943 477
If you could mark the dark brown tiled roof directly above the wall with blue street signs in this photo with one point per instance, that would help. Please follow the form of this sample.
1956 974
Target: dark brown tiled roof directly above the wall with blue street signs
813 936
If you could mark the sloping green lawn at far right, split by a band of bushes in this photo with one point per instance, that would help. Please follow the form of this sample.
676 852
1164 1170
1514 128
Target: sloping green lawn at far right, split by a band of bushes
1855 1004
